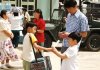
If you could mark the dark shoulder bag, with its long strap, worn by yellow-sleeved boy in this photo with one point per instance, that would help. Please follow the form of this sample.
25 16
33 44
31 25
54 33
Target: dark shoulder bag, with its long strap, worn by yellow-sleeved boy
40 63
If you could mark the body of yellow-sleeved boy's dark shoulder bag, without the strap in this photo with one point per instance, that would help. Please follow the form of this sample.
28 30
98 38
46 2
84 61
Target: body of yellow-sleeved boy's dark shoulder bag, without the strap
44 62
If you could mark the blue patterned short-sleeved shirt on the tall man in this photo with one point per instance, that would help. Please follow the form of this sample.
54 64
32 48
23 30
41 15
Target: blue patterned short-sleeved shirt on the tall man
76 23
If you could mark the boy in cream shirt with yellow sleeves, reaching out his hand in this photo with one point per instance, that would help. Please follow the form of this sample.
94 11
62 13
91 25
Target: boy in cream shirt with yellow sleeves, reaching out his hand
27 54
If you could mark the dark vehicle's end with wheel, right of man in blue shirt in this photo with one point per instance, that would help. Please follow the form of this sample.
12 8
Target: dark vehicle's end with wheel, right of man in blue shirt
93 15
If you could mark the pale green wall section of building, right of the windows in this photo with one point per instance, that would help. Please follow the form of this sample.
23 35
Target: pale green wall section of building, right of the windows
44 5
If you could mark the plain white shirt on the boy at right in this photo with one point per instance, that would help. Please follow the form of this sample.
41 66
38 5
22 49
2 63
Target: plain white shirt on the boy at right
71 62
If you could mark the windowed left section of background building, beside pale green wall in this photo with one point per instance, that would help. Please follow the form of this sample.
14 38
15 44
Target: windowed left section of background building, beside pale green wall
28 4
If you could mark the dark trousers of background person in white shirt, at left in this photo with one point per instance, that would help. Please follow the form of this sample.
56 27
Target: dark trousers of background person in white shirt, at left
15 40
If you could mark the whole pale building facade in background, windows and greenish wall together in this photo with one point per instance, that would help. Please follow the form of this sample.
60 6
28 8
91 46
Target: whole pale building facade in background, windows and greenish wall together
46 6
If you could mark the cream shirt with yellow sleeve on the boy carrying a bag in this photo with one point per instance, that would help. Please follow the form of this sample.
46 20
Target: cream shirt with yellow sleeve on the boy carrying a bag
27 53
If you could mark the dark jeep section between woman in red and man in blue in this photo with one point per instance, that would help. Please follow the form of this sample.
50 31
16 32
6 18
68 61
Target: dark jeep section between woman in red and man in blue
55 25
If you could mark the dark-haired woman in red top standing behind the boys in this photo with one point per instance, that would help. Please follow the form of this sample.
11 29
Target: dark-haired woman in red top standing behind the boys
38 19
